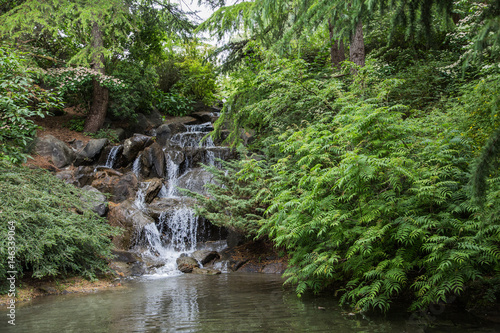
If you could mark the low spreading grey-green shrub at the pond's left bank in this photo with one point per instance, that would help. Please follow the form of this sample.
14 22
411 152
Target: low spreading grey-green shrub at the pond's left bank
55 230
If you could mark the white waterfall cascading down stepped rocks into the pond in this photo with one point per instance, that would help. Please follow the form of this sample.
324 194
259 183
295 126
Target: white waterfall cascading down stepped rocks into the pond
176 229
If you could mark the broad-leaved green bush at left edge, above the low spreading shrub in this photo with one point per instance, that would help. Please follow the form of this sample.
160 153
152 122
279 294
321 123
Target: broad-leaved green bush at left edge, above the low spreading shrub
20 99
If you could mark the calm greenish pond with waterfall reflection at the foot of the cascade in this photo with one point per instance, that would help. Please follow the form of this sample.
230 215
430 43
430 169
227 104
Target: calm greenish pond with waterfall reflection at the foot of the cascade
195 303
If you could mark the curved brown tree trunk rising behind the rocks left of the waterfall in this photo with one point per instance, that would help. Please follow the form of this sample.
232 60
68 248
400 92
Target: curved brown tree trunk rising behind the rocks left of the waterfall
100 96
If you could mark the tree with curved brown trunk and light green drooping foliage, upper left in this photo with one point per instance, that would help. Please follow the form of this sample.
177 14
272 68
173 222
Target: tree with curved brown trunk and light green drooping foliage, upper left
99 30
